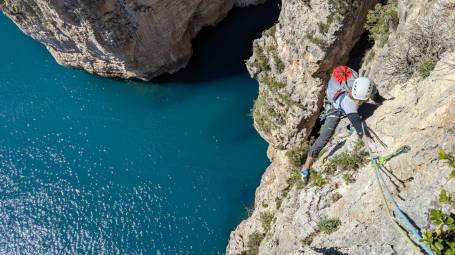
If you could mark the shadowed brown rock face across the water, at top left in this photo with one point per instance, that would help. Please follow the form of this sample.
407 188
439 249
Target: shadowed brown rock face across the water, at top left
128 39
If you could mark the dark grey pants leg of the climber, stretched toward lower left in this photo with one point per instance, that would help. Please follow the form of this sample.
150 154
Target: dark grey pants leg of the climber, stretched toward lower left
330 124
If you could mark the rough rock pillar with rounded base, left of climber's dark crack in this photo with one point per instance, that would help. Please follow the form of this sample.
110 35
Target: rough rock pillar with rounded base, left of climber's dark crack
292 62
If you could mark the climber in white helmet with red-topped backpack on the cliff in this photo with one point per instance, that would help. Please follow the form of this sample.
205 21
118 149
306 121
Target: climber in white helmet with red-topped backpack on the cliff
346 92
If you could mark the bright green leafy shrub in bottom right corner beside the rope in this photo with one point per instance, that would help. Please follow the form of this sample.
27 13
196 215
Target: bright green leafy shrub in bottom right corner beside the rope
441 238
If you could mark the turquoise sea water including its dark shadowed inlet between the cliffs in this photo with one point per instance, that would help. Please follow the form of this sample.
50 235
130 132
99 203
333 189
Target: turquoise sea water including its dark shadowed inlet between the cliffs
90 165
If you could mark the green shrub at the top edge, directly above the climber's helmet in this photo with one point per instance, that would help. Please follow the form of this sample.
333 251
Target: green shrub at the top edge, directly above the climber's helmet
381 20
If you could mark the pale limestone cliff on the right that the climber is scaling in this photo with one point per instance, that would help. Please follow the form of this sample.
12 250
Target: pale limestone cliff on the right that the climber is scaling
287 216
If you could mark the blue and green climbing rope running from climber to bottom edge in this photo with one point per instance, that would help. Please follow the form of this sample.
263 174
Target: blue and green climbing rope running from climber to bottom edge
385 190
